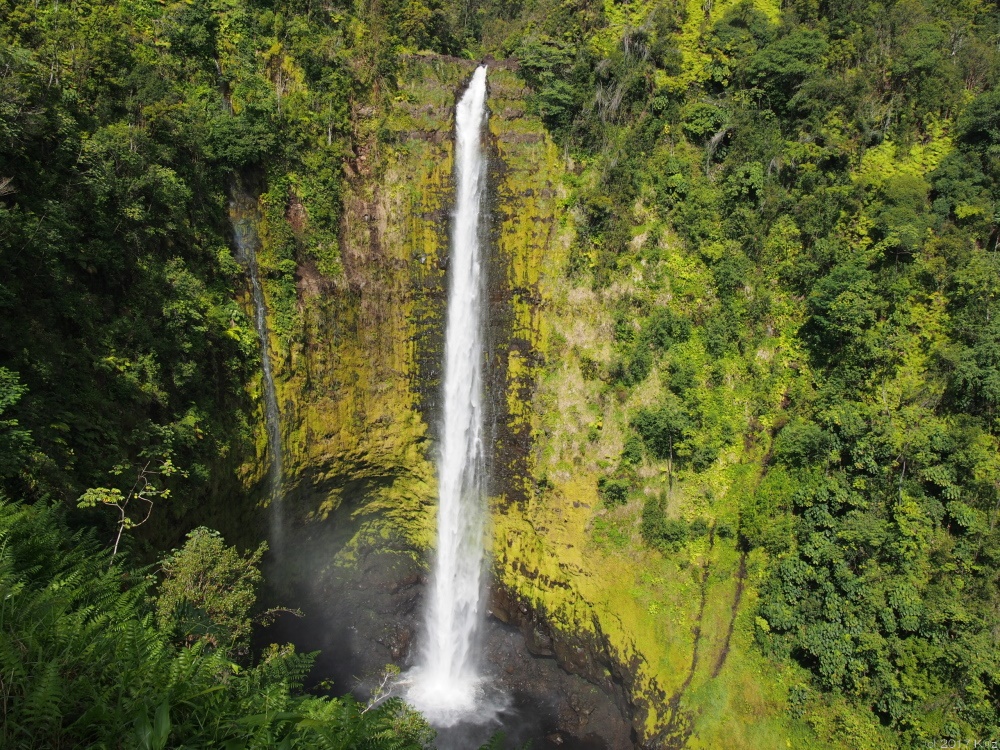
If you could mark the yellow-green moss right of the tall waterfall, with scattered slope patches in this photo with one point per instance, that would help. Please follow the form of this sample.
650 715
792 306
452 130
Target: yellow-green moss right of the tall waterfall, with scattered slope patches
643 605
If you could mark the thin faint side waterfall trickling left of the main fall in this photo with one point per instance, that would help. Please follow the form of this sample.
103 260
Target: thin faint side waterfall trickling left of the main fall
246 246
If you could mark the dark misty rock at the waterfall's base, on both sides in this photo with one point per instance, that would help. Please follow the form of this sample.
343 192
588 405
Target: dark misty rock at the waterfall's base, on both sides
360 619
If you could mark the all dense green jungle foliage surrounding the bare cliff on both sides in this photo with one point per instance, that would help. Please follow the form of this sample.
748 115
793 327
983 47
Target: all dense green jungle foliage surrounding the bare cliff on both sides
793 209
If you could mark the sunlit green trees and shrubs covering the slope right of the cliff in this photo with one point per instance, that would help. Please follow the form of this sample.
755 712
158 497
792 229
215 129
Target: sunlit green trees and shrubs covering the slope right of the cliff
790 218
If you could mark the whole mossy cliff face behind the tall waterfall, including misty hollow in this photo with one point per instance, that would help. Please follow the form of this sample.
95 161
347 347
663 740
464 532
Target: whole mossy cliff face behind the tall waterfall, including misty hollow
358 380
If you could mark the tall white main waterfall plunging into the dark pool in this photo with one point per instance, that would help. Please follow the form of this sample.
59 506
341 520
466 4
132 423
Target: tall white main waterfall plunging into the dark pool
445 684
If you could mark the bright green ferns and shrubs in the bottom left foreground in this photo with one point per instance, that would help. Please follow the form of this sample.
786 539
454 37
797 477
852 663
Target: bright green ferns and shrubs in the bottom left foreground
93 657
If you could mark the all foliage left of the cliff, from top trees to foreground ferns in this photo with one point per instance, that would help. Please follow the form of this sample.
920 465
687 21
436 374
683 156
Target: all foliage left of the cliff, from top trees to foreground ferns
126 129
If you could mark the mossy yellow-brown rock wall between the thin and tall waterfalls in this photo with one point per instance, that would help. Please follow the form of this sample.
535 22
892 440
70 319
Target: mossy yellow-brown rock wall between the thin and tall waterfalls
358 375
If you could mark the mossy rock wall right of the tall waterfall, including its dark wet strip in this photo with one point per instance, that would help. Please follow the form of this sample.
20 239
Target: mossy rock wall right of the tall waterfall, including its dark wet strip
669 636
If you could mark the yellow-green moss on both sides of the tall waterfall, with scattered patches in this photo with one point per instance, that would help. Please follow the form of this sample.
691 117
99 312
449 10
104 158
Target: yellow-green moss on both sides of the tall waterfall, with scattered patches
349 386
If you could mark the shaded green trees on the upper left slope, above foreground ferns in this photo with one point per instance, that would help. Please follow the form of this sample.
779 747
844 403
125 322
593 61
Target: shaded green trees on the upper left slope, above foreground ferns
126 128
